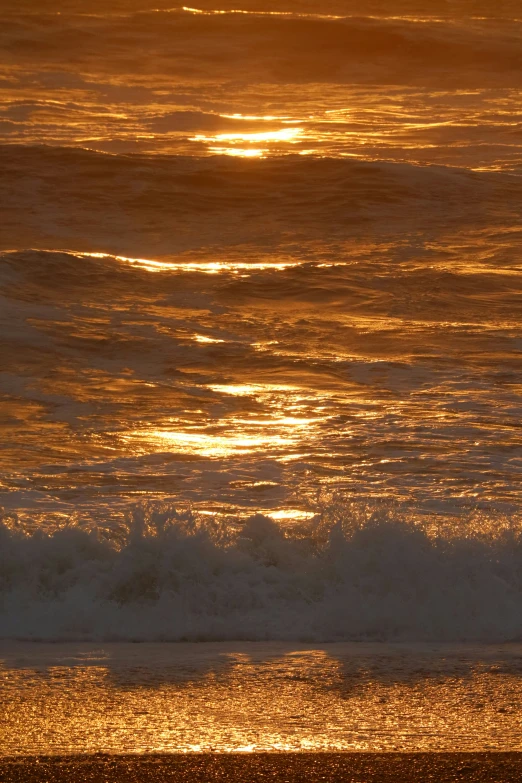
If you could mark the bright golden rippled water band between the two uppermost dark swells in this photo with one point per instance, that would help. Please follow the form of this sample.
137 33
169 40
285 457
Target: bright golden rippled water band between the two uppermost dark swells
473 127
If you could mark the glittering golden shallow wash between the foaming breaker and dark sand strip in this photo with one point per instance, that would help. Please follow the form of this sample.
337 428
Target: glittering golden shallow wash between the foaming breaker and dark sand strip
241 697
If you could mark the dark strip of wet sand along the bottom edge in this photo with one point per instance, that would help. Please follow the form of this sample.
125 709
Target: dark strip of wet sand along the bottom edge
284 767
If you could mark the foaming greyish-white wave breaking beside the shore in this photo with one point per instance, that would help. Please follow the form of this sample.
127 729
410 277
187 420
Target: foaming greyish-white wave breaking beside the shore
174 577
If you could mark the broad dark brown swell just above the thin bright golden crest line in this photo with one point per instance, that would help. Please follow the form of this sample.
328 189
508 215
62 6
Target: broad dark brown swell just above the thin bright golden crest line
138 205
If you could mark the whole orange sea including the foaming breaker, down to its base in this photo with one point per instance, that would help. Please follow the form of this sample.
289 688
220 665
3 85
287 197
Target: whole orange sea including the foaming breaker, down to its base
260 312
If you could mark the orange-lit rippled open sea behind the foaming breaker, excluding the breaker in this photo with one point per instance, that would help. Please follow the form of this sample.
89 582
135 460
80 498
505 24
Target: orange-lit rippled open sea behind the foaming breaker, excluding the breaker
384 273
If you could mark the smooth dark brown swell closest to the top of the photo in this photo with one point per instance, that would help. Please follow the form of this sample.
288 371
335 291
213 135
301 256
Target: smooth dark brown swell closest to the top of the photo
261 47
